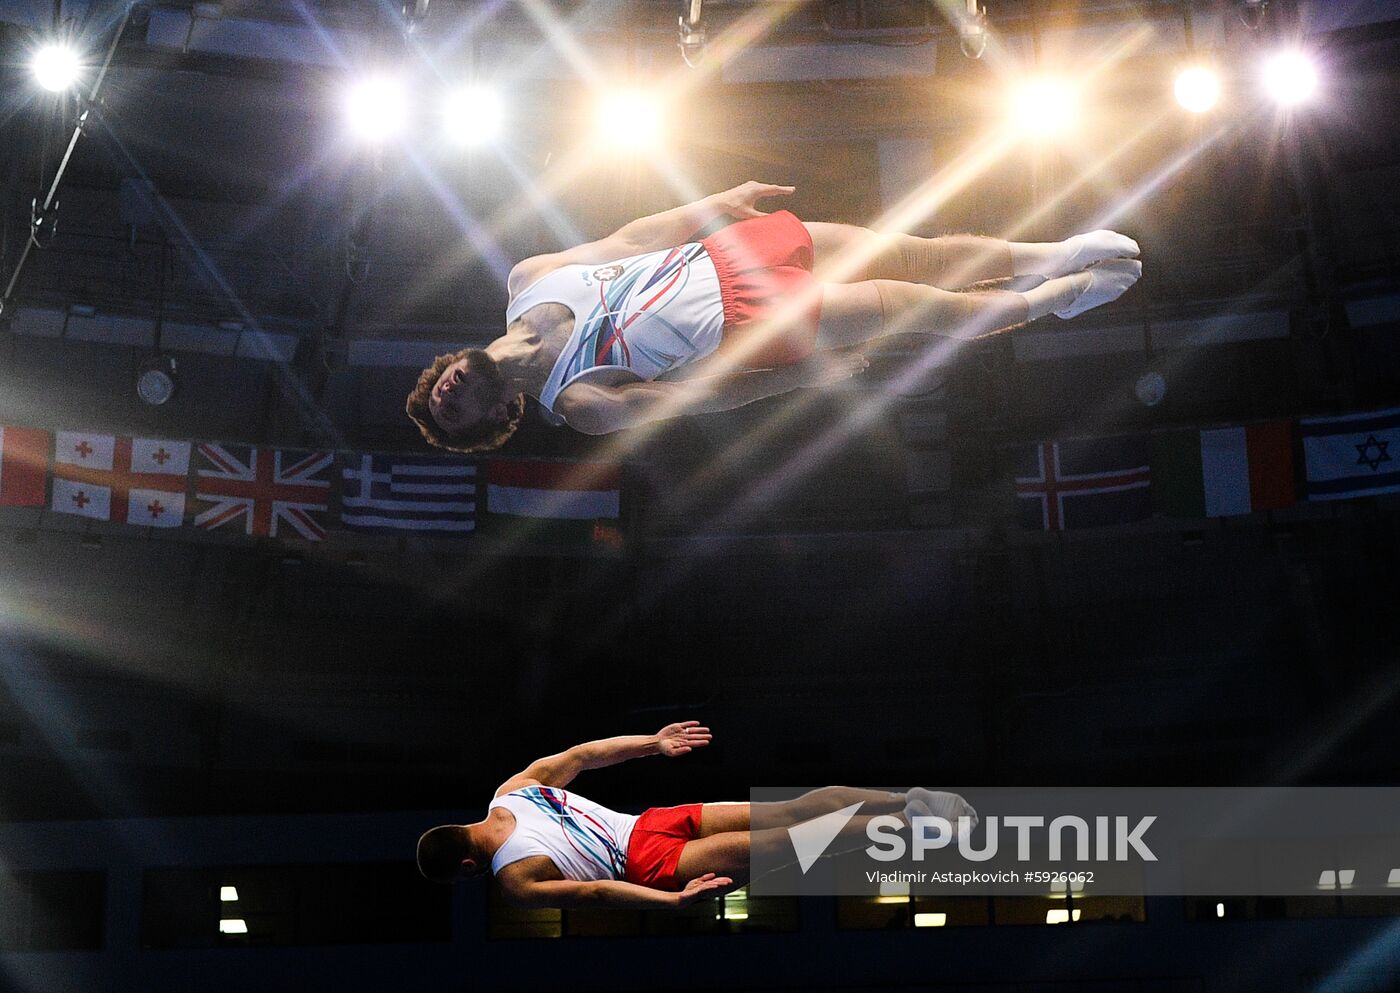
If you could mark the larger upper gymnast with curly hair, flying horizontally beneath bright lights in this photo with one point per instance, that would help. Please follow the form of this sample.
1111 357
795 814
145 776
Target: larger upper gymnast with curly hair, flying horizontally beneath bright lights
761 307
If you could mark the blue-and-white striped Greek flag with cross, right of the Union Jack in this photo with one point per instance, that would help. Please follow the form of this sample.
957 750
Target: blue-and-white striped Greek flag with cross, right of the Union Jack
421 494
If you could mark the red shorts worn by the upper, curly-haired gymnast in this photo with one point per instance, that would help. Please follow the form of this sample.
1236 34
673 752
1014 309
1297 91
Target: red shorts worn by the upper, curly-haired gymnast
772 302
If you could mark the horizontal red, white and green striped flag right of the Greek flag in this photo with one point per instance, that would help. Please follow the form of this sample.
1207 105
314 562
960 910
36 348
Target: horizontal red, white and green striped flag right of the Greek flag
554 501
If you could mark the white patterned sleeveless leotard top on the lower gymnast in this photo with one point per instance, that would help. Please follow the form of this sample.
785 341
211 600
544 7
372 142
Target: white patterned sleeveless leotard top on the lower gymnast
586 841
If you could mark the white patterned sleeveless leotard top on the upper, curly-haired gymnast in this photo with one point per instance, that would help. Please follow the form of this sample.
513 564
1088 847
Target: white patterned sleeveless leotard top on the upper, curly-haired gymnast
647 314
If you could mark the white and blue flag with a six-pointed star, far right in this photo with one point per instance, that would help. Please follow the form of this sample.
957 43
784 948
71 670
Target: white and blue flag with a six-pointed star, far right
1352 456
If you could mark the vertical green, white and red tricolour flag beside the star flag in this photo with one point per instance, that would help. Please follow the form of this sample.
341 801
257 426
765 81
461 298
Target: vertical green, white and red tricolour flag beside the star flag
1226 471
